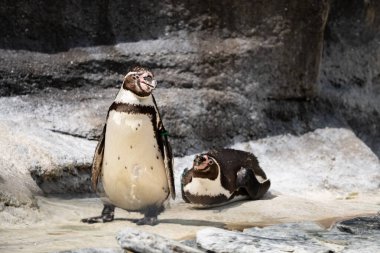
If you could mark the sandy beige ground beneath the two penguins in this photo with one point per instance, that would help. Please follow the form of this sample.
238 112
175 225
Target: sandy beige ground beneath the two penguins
56 225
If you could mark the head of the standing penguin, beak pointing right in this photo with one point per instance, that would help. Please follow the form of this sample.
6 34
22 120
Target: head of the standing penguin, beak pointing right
140 81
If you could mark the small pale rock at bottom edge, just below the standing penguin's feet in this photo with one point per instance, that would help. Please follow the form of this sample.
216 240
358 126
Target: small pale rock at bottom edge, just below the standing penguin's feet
140 241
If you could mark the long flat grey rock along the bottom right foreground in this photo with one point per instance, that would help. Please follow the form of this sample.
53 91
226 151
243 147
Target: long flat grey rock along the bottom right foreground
296 237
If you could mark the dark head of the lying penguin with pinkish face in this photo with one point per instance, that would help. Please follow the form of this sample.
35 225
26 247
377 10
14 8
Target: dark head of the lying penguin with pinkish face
205 166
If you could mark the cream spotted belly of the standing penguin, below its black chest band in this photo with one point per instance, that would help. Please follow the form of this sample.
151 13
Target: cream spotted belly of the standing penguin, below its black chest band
134 175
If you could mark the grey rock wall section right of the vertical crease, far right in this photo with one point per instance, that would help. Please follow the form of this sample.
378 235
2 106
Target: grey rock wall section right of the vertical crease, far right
350 66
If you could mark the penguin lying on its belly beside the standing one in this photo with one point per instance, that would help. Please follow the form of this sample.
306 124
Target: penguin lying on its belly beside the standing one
221 175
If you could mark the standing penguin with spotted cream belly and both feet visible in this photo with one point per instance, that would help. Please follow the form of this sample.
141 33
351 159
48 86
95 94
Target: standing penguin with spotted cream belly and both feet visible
133 164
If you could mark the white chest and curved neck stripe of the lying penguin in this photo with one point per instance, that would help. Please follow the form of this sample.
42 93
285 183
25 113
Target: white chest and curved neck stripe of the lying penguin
206 187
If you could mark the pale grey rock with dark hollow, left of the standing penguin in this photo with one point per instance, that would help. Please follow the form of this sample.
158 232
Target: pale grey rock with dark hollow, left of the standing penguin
59 163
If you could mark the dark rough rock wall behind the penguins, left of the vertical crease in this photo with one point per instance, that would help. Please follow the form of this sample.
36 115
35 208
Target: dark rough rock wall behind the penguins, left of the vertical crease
247 50
